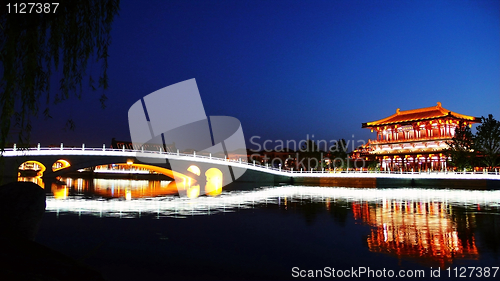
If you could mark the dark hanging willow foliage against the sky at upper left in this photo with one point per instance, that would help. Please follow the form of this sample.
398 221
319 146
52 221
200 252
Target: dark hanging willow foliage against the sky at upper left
32 45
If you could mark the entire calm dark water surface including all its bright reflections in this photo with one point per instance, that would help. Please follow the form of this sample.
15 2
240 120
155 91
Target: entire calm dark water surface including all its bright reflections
141 230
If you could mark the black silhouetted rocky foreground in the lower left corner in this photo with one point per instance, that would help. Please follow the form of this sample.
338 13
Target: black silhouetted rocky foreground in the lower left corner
22 205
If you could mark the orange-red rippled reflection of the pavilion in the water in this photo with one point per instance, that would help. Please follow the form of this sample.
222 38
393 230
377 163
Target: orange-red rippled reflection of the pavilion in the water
421 230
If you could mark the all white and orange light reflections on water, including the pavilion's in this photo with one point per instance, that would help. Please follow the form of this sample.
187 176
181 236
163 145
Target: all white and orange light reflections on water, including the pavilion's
433 226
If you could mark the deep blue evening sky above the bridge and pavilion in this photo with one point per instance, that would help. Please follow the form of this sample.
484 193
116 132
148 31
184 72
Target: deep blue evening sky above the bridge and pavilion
287 69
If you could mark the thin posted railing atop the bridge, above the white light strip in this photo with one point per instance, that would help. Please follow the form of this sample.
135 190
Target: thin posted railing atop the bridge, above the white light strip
253 164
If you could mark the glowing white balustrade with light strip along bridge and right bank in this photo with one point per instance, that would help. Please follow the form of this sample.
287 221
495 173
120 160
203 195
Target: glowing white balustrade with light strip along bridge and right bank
241 163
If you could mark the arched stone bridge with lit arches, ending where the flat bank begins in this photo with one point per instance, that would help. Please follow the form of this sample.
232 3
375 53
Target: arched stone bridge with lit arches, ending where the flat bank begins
55 161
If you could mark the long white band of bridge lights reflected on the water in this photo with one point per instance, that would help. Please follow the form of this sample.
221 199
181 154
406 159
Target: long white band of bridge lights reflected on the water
165 205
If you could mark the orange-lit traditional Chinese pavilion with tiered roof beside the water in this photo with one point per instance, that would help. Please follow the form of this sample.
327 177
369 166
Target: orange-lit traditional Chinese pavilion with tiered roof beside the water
414 139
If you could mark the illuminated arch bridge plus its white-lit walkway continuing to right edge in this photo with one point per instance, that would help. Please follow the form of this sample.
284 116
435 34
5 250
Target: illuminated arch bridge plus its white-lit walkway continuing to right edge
56 161
